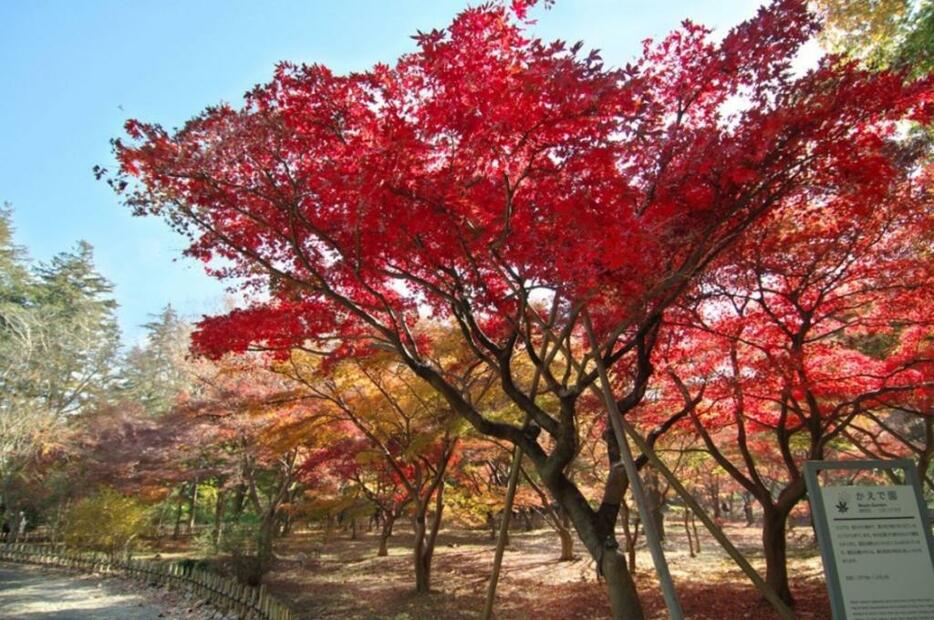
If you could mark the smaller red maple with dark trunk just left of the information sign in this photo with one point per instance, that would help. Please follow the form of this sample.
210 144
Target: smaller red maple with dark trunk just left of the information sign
815 319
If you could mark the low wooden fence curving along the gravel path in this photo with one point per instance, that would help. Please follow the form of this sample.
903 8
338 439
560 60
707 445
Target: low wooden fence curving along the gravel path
224 593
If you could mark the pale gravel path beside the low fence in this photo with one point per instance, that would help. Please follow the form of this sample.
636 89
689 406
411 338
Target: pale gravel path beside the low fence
42 594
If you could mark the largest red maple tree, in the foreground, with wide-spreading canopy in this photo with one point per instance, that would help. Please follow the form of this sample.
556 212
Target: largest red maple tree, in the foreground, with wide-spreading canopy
489 171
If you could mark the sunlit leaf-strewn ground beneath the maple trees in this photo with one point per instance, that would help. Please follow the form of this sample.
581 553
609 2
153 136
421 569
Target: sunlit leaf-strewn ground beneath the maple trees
345 579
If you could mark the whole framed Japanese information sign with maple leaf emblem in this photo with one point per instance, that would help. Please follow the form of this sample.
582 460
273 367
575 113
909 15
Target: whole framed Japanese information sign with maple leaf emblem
875 543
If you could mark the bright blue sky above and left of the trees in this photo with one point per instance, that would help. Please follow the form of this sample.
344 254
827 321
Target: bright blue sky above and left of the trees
71 72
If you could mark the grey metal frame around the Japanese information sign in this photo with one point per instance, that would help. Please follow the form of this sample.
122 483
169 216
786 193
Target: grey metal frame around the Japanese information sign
819 515
